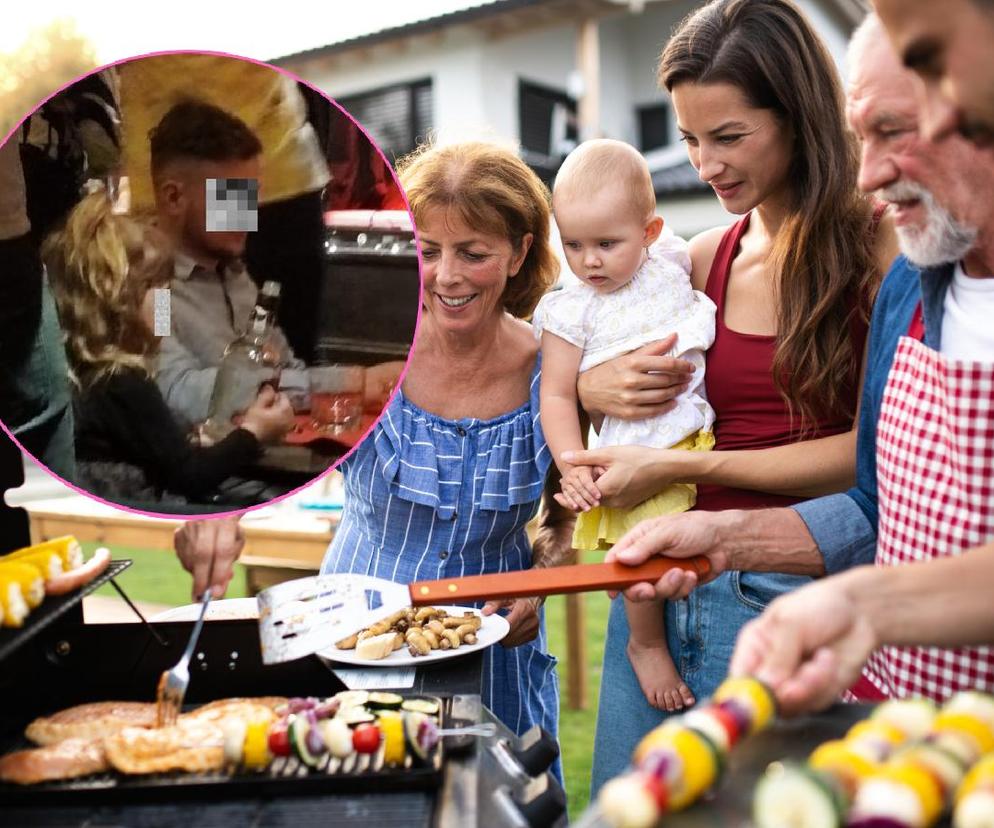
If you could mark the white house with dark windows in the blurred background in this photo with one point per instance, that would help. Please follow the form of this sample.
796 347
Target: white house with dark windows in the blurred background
539 72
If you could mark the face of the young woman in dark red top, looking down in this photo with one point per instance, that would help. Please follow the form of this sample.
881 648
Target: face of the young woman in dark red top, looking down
744 153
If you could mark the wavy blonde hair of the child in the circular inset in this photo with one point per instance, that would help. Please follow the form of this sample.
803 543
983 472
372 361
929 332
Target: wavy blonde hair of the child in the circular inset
100 265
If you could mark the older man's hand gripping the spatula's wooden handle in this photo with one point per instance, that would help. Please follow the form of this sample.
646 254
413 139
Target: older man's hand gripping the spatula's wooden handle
674 536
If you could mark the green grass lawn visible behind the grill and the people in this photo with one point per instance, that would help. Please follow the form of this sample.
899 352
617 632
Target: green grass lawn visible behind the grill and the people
156 576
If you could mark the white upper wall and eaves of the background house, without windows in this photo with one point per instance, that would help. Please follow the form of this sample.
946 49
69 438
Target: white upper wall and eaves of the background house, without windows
475 76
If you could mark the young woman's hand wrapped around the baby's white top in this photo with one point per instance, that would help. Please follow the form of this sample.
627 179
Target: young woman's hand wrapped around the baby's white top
637 385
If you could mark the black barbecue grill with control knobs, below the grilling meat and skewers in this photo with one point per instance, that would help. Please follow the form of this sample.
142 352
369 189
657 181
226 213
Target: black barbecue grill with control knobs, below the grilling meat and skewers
56 661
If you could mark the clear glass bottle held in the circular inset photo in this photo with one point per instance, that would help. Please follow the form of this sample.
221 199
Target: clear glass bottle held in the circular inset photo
250 361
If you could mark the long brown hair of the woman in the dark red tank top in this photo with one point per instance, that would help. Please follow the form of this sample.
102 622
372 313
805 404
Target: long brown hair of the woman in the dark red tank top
823 252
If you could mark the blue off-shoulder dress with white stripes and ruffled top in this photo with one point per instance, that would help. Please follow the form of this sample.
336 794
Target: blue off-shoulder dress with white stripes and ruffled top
429 498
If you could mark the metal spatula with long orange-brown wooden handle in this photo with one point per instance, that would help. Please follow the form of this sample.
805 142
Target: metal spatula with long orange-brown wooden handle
301 617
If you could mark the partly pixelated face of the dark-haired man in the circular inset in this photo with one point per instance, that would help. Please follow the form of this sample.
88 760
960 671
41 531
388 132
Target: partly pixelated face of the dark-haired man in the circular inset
217 214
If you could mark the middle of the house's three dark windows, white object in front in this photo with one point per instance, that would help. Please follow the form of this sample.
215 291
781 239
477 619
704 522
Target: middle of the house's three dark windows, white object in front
547 125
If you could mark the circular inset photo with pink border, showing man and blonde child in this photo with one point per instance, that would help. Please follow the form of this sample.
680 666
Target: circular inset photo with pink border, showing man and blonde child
219 280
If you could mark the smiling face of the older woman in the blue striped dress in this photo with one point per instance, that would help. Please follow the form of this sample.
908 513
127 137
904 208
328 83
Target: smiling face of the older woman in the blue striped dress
465 271
